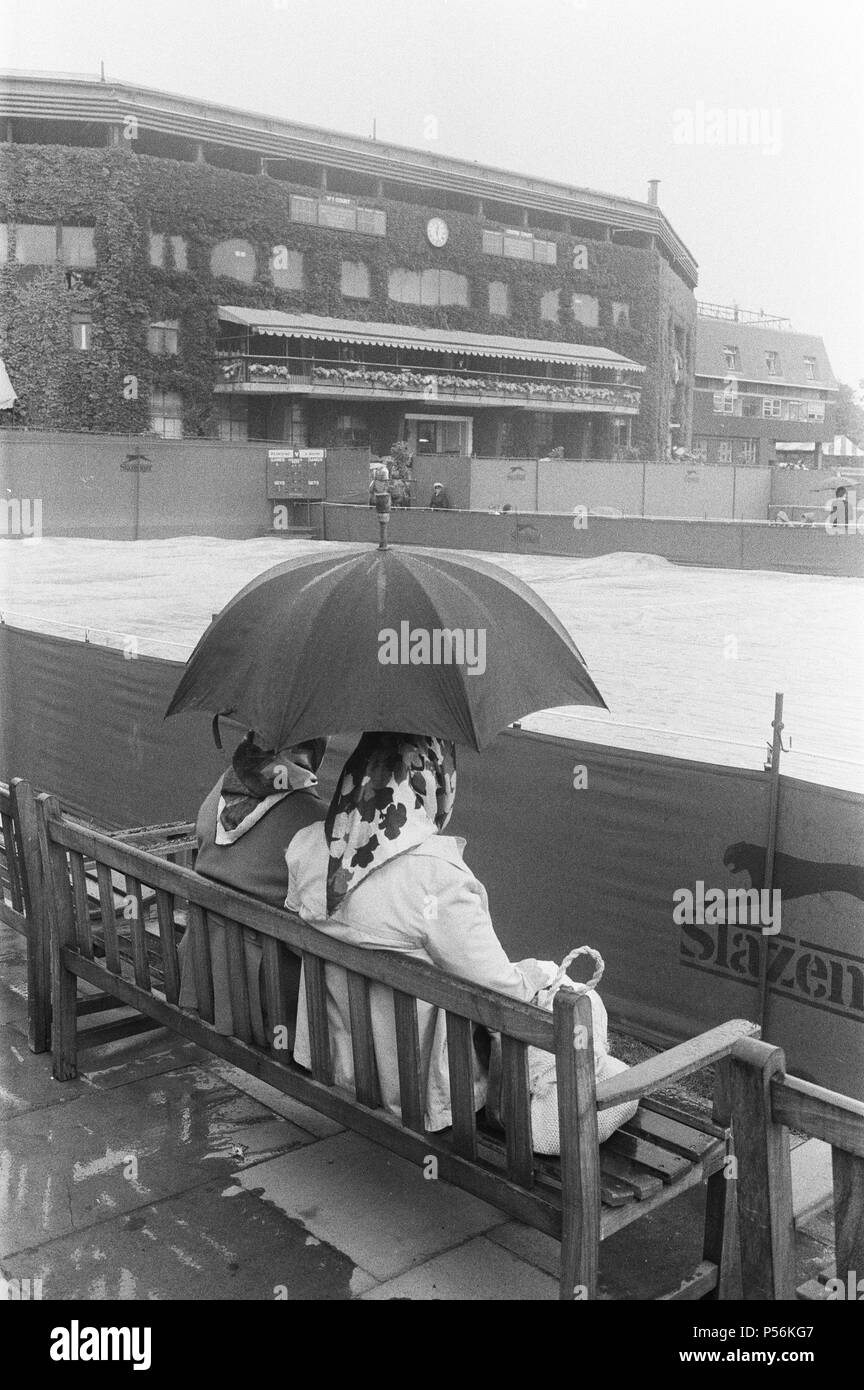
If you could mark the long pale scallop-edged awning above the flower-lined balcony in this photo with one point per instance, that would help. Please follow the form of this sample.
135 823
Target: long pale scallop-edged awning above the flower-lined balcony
433 340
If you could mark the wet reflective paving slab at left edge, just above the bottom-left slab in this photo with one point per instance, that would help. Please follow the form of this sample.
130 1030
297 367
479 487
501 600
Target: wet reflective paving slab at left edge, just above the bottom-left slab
67 1167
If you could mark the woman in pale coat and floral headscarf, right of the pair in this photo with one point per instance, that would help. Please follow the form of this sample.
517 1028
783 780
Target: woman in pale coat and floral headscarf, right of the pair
380 874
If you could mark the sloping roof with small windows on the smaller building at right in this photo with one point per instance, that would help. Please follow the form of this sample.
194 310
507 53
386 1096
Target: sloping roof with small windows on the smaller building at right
713 336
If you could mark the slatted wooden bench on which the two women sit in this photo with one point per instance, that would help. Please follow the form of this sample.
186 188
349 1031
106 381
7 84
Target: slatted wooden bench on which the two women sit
580 1199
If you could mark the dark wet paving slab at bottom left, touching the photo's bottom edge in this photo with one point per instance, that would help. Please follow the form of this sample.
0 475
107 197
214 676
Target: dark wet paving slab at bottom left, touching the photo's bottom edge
209 1243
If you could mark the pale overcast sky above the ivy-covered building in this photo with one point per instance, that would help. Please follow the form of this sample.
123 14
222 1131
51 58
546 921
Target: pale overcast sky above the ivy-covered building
599 94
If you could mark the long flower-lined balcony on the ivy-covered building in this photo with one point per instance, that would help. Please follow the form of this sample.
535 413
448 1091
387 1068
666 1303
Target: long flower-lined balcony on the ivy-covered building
254 375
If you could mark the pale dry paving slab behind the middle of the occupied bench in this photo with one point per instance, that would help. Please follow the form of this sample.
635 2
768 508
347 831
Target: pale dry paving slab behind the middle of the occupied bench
373 1206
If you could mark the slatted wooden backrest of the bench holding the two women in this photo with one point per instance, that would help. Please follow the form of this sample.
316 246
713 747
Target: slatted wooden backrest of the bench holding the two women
67 849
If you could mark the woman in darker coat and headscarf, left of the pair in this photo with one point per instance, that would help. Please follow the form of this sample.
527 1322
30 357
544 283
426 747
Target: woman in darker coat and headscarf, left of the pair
242 831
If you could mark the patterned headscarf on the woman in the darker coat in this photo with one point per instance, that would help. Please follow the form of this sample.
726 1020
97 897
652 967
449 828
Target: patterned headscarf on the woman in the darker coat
260 778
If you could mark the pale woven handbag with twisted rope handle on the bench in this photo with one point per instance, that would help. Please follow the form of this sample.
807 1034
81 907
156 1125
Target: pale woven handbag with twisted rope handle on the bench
542 1079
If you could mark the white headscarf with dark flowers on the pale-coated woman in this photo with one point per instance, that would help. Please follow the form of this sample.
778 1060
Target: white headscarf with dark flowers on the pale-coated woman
395 792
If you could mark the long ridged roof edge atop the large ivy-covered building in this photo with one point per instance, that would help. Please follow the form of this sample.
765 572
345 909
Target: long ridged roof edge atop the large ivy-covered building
49 97
